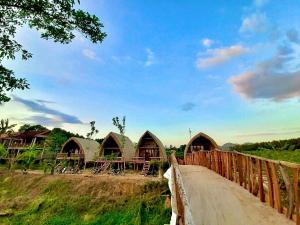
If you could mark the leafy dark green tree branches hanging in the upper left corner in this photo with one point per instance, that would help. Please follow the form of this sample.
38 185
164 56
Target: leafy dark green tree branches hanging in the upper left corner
55 19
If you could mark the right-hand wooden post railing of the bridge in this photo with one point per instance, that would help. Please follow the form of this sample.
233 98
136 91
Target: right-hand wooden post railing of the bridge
274 182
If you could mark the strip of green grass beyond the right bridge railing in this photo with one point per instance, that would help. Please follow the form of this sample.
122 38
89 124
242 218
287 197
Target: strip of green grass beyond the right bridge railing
284 155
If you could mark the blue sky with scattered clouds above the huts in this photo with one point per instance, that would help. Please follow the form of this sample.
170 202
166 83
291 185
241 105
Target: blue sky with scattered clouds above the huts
230 69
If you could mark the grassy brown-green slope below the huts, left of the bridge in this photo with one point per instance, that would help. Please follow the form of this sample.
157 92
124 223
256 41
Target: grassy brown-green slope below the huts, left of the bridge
39 199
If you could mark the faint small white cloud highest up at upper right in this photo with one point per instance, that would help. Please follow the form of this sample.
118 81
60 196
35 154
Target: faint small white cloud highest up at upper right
256 22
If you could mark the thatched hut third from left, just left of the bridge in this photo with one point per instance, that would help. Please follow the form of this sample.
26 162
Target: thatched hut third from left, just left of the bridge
149 146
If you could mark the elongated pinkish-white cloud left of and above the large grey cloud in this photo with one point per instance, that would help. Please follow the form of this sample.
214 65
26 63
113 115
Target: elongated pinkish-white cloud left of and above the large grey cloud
220 55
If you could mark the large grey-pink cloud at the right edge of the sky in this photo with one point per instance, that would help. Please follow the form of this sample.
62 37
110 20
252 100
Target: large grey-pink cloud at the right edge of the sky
275 79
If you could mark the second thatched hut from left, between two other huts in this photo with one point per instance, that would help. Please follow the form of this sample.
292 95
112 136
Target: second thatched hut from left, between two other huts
113 145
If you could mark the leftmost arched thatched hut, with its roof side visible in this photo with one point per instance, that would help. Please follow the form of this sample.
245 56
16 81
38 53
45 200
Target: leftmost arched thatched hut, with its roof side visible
86 149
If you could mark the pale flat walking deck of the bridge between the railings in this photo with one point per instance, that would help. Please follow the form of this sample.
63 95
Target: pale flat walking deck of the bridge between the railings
214 200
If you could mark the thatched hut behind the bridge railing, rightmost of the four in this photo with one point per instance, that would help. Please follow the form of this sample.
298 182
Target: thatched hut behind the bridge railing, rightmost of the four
200 141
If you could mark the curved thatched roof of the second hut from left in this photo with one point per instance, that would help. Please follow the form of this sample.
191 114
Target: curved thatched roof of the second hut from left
127 150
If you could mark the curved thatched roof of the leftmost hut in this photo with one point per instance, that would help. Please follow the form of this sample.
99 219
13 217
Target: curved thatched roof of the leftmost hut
89 147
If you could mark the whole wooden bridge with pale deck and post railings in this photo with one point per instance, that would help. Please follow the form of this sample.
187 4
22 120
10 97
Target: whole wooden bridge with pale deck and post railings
219 188
